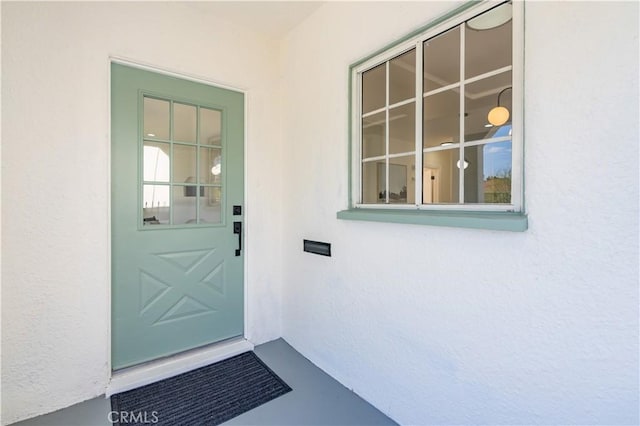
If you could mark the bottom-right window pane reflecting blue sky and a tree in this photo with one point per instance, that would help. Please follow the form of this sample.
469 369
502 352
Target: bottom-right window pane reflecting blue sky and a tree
487 178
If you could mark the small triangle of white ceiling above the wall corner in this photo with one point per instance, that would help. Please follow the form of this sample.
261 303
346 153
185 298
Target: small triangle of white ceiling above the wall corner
271 18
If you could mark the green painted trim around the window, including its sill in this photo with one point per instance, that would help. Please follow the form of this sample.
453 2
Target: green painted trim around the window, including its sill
511 221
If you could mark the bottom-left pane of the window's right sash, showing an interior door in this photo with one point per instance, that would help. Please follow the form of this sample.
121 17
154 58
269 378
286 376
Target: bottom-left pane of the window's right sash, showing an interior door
440 176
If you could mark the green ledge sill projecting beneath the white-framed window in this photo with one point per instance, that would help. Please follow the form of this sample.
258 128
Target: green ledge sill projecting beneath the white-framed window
499 221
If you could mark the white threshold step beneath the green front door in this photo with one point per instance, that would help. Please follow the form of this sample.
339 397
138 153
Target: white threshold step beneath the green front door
154 371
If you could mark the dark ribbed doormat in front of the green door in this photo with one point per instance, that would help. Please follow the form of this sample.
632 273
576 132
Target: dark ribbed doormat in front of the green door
207 396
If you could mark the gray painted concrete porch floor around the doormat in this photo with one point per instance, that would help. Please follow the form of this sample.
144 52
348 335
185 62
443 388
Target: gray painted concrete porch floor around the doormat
316 399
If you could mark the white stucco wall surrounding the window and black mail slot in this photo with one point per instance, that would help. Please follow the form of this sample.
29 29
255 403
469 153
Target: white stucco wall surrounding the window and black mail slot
454 326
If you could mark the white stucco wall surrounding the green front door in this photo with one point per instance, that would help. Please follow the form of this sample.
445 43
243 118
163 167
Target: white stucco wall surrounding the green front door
55 173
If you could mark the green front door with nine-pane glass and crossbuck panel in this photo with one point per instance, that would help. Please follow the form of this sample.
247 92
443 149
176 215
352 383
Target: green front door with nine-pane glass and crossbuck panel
176 206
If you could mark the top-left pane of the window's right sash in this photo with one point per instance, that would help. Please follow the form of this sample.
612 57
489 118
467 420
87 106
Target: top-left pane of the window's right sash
442 60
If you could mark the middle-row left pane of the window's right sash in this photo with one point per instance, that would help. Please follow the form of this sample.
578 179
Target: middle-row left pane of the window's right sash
441 124
